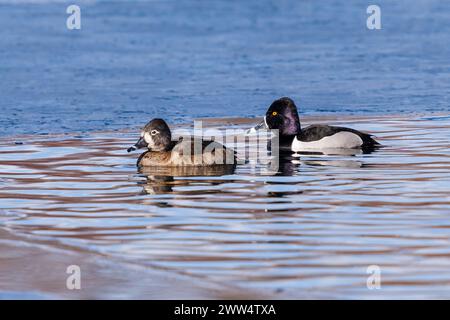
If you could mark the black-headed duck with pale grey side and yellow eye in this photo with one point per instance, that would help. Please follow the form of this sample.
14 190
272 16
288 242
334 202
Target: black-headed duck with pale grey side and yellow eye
282 115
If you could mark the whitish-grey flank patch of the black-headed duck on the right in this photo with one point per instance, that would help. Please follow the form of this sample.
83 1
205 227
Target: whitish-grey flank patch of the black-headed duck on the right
340 140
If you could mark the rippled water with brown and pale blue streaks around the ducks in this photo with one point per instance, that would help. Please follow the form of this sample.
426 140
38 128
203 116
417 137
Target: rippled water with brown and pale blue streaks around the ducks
310 229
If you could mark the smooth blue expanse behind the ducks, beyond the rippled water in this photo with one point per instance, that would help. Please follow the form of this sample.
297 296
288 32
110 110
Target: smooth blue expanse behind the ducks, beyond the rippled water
180 60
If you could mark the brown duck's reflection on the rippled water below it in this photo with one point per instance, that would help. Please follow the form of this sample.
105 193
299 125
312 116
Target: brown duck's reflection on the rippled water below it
161 179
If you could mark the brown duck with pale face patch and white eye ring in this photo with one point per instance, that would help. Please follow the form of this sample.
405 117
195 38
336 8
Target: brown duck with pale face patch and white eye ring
162 151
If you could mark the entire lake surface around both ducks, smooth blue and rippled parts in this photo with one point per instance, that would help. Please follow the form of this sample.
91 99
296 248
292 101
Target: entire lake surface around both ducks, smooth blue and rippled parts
72 101
